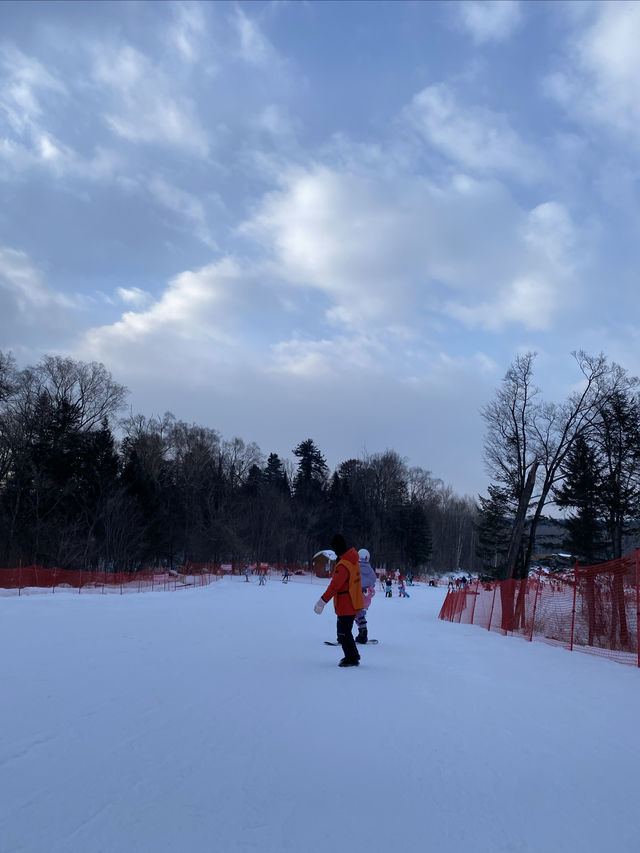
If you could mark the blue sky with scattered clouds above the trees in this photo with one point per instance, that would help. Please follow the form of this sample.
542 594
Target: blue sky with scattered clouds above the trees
329 220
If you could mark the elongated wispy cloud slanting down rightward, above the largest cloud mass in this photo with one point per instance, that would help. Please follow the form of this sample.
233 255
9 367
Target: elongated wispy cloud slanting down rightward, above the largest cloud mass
478 138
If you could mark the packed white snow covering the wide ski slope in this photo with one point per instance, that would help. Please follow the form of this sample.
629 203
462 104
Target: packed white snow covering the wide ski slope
216 719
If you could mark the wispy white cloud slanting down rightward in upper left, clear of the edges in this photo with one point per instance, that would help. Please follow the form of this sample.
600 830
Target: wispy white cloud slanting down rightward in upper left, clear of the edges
146 105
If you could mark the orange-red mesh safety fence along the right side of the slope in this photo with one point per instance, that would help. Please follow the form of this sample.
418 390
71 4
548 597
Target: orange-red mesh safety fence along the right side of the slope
593 609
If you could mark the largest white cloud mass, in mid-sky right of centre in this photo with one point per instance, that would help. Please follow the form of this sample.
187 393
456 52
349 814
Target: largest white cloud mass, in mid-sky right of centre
388 252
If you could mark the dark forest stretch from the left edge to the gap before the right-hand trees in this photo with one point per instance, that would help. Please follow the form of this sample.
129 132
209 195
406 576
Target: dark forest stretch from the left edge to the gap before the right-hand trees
82 487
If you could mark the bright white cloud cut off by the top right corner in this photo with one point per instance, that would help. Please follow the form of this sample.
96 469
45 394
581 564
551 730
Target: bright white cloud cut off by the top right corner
599 79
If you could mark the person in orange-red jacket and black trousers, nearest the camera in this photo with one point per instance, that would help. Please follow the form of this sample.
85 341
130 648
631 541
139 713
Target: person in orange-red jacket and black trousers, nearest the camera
344 587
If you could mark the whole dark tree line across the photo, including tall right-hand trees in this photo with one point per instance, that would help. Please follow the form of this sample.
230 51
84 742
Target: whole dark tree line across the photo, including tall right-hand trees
83 487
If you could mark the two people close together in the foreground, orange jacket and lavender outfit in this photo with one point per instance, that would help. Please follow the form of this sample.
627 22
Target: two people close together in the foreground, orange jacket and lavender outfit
352 588
